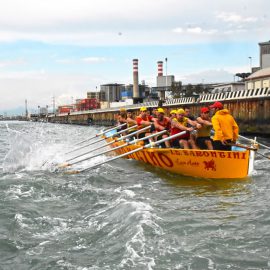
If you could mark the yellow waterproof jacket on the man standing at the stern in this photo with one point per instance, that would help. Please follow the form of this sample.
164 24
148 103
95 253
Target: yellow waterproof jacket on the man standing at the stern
224 126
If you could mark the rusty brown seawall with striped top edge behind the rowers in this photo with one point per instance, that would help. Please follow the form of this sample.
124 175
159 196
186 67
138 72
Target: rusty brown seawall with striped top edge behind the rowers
251 109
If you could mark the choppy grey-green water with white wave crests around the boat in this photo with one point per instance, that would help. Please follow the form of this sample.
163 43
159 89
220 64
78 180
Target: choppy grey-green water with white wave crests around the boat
123 215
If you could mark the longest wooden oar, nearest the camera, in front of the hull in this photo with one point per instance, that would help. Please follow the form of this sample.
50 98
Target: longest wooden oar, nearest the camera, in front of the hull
128 153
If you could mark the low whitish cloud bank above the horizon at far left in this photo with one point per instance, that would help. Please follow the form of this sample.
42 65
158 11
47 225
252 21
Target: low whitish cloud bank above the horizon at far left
39 87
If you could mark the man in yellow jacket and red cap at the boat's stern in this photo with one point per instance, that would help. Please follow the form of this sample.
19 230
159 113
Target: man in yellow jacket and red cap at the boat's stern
225 127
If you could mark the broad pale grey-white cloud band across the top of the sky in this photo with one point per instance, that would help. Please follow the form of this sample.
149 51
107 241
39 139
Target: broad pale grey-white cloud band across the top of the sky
124 22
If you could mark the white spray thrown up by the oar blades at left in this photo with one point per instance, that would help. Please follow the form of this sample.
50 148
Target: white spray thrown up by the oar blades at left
41 147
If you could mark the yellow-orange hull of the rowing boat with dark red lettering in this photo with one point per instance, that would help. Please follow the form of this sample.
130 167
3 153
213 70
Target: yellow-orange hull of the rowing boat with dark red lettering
197 163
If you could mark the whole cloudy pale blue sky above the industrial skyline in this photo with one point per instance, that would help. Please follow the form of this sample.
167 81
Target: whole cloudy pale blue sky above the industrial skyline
60 49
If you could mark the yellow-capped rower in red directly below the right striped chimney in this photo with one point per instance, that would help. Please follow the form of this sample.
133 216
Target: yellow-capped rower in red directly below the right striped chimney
162 123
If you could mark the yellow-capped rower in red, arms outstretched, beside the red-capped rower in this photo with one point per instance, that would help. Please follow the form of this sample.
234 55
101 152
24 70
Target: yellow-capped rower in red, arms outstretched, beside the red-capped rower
179 124
